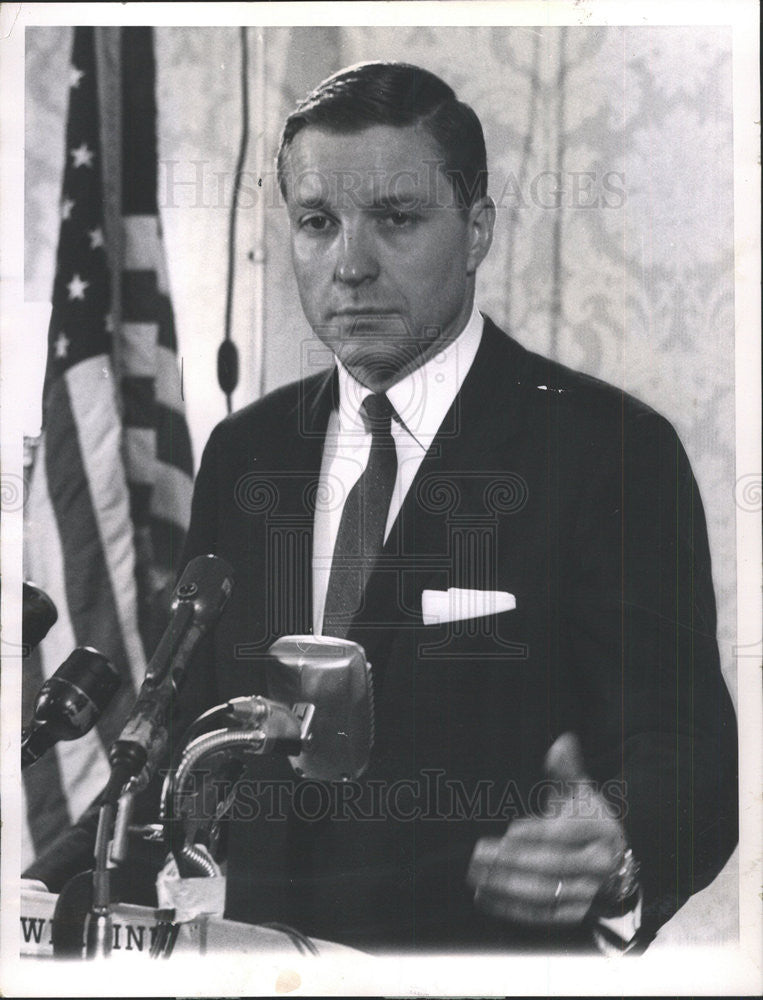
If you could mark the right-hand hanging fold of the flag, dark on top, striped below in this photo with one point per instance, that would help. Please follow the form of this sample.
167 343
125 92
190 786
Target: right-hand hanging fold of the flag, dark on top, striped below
155 426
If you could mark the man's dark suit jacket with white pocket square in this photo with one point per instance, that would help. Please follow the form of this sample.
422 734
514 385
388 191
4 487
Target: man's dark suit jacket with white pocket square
542 482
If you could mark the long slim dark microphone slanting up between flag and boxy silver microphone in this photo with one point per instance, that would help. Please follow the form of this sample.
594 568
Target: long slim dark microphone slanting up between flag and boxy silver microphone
197 602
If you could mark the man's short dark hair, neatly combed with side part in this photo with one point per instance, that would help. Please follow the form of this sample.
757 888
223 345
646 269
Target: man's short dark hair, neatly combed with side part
397 94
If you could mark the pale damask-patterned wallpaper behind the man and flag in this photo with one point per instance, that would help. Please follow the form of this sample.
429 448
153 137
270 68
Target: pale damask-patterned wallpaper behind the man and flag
611 164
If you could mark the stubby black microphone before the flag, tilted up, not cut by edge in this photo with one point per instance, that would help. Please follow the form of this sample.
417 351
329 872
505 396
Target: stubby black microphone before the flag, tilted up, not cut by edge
69 703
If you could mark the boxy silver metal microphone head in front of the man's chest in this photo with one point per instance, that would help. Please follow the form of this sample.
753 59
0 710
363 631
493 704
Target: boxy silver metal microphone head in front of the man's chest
333 675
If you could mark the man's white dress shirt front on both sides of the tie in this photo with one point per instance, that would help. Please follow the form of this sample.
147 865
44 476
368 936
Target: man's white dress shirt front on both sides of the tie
421 400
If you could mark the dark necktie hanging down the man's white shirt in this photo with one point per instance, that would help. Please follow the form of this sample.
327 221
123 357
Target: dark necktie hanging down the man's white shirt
360 537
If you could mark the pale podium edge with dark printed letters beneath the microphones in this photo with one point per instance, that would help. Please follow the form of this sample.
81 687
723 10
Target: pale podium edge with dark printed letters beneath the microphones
136 927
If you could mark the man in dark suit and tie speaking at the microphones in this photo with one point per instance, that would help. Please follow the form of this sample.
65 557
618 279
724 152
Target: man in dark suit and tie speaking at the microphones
520 550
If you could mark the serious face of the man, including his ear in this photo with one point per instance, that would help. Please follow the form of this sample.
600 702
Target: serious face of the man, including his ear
384 257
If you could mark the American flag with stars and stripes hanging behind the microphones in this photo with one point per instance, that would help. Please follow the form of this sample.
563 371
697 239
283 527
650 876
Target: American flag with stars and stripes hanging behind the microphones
110 493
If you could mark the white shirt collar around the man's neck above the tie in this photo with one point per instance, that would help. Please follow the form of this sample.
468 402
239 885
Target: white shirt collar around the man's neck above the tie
422 397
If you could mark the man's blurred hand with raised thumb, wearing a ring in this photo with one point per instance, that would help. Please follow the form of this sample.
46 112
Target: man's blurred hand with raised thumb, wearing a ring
548 869
